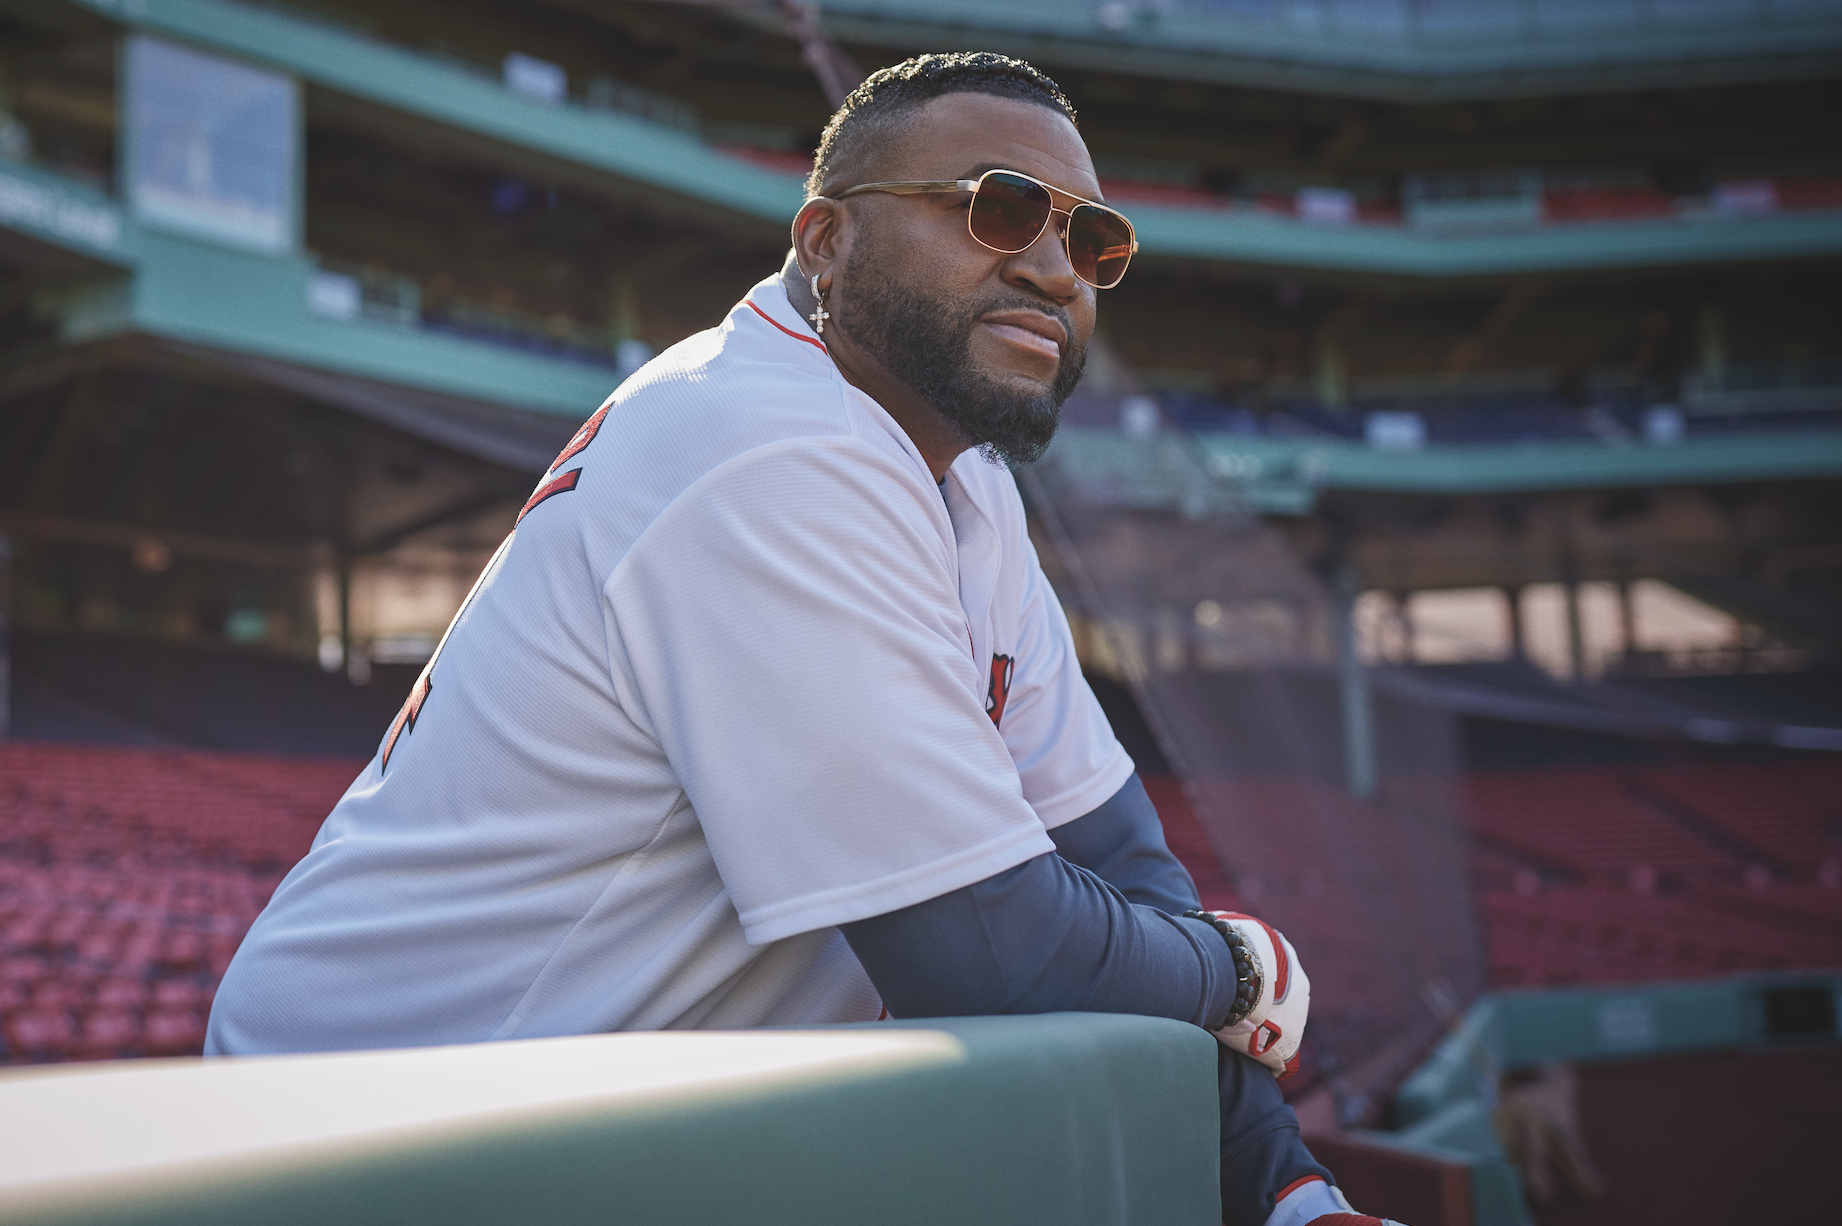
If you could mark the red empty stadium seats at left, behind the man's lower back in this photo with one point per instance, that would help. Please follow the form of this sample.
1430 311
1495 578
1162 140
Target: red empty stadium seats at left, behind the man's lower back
128 877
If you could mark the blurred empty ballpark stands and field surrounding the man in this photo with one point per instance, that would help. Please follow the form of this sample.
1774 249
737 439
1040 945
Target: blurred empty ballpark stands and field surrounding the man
1451 520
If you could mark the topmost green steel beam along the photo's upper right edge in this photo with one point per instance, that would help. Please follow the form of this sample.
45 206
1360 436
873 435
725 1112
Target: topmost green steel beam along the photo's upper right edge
1309 51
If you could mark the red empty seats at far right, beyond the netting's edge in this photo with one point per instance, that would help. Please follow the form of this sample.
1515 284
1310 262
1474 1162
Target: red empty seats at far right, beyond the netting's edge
1661 872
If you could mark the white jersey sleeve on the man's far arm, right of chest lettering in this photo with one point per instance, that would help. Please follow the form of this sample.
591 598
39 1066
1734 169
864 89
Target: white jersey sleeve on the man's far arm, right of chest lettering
1058 735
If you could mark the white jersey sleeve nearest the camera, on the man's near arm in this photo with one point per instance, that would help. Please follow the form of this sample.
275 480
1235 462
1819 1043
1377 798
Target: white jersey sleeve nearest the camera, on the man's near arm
791 634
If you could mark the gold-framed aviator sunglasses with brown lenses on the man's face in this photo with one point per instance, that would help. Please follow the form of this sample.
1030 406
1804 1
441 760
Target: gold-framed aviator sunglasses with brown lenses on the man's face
1012 211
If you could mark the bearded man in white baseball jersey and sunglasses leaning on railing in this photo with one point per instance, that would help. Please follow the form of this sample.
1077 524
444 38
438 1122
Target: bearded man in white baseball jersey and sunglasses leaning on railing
765 713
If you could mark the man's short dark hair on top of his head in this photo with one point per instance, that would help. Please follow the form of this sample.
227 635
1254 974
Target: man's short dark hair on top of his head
887 100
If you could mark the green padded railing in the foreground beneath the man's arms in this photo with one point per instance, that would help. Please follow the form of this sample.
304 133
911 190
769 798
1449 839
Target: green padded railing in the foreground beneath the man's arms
1060 1120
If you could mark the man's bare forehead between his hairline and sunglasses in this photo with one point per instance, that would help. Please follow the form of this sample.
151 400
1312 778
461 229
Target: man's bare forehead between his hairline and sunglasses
962 135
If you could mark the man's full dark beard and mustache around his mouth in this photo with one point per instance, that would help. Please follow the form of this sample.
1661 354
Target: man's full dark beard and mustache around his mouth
927 345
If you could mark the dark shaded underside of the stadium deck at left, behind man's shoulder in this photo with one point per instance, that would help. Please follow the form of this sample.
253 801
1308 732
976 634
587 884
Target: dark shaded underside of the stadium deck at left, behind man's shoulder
345 467
